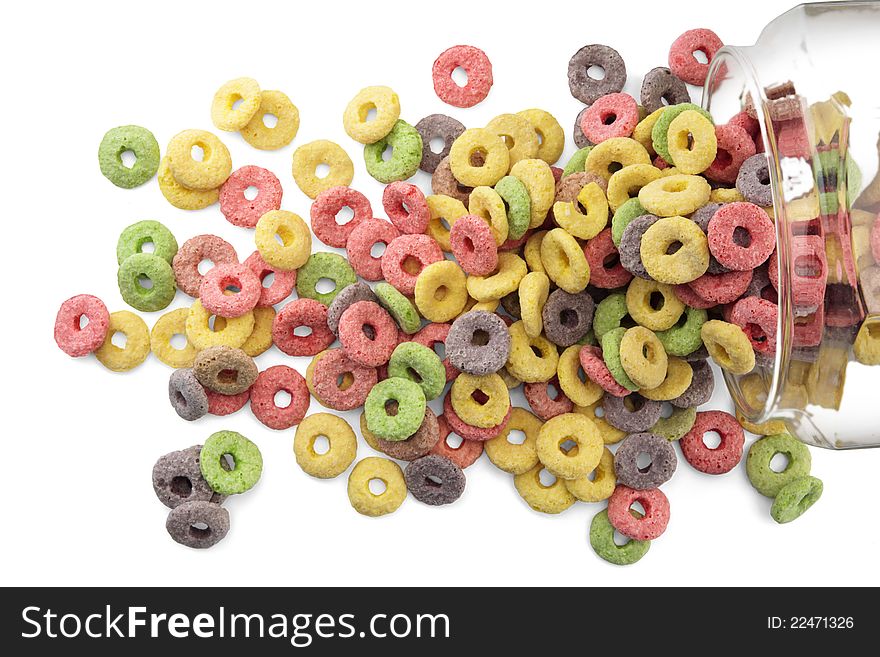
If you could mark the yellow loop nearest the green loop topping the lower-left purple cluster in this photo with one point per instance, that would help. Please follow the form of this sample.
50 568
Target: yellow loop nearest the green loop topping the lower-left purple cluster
340 453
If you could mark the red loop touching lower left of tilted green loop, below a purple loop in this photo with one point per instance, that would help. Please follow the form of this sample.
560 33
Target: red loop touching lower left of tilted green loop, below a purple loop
367 333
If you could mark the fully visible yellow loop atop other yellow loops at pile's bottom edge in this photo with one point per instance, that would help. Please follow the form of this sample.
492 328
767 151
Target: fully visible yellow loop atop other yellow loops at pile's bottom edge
578 459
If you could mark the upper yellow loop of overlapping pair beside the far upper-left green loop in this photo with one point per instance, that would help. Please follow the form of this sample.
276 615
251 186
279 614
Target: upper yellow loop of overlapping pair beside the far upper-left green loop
209 171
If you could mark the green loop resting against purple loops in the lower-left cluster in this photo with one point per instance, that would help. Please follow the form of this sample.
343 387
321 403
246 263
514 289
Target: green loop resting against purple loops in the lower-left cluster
247 463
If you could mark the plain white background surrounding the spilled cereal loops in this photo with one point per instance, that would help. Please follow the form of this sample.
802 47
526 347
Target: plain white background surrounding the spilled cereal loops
80 441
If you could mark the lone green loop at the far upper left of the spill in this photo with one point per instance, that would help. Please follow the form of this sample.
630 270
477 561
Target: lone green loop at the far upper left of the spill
139 141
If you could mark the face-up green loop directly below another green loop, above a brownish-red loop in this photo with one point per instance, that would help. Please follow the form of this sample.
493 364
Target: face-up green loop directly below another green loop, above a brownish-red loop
410 409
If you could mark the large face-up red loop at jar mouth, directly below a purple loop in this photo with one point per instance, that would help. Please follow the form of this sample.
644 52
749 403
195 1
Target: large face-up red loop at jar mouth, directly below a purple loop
752 250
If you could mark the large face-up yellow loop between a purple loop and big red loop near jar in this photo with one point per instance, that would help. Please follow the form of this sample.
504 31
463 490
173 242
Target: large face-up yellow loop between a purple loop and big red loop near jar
687 263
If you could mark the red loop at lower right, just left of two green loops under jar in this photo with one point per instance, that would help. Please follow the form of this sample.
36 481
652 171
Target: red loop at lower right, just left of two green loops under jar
714 460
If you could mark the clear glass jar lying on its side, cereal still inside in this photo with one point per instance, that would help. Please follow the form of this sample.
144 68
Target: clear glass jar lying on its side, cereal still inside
810 84
